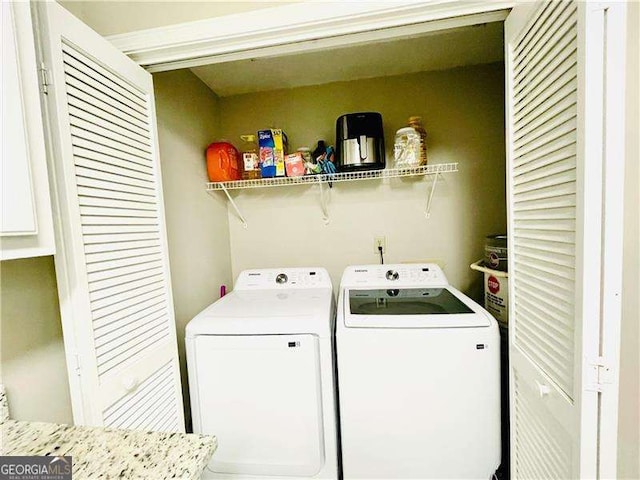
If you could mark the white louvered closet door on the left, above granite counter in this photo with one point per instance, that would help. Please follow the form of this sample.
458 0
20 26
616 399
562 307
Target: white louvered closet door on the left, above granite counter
112 264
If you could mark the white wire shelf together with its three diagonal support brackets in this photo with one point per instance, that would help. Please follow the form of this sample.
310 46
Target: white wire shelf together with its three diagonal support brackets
322 180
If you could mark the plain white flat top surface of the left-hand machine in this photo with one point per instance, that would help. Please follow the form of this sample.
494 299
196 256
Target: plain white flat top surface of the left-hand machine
264 312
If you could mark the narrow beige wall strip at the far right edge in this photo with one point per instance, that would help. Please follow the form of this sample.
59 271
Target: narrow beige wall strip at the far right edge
629 415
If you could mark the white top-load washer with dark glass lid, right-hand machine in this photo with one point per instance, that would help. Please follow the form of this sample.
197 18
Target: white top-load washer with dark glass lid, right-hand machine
418 376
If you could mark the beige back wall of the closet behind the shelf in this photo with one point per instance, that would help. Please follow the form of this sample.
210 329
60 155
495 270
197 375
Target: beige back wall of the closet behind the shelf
463 111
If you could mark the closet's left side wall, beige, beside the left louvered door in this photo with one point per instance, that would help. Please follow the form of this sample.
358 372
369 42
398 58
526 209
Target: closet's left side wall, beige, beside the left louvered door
197 223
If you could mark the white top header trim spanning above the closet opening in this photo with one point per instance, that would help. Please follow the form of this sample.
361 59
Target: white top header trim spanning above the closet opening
309 26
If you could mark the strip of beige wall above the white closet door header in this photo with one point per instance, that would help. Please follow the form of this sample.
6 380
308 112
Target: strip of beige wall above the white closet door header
113 17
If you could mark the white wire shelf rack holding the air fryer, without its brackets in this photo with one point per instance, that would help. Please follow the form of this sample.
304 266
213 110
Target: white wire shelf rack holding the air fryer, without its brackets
335 177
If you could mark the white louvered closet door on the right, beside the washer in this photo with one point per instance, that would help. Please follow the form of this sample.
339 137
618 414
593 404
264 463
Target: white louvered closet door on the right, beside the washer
556 96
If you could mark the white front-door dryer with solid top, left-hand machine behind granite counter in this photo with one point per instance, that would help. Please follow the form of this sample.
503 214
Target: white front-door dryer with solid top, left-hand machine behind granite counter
261 376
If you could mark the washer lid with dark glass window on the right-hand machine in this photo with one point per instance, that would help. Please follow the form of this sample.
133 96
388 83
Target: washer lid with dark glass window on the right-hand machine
430 307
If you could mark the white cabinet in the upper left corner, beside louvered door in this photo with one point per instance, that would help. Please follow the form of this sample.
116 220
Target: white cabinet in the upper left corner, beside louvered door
26 227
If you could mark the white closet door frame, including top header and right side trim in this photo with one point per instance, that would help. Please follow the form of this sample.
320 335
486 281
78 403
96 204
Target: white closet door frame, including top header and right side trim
314 26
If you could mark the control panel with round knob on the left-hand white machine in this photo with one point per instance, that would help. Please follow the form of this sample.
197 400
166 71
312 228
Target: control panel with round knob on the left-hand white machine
273 278
